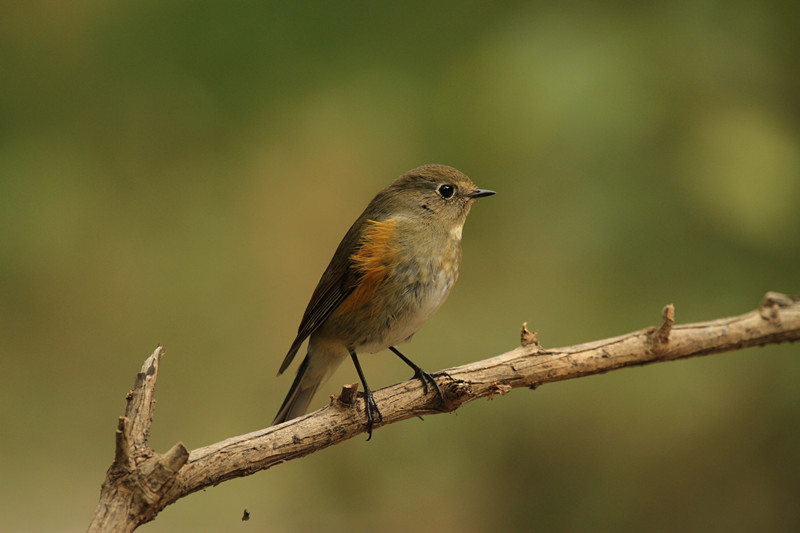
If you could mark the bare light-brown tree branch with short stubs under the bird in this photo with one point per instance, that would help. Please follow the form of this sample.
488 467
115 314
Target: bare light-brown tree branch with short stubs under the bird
141 482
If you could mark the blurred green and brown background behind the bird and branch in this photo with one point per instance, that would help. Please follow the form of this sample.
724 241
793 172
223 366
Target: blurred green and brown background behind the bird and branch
180 172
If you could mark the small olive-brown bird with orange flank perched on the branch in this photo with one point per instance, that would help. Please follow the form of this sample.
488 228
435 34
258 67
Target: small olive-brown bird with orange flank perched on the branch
393 269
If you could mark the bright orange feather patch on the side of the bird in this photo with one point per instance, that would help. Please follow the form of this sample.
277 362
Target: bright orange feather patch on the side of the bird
372 260
